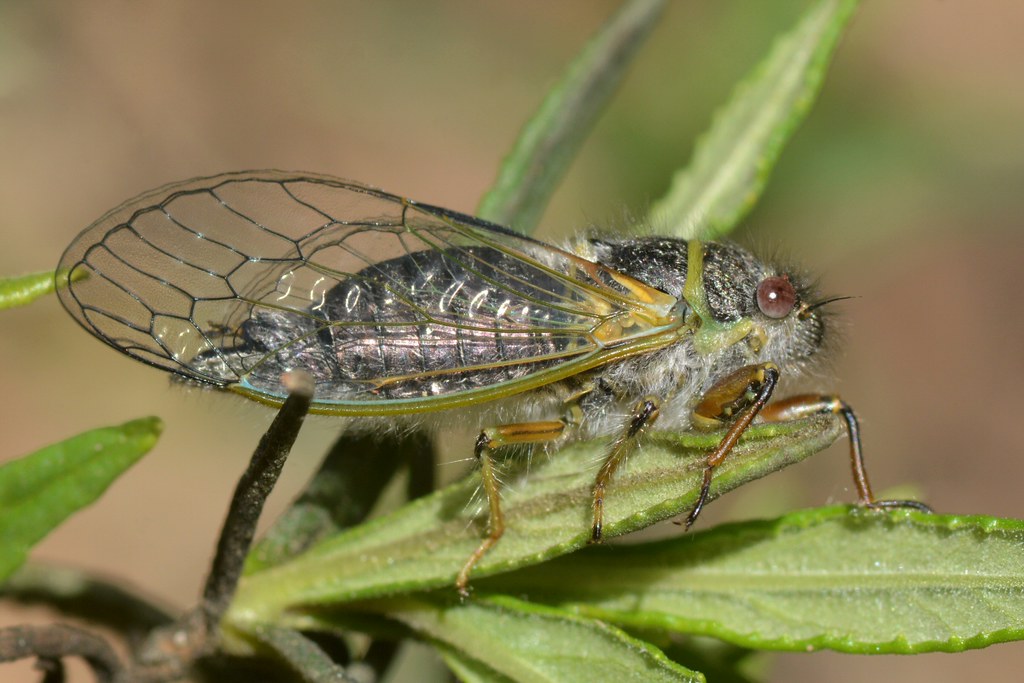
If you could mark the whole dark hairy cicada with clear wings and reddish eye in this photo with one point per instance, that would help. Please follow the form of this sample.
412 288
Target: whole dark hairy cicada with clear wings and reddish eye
403 312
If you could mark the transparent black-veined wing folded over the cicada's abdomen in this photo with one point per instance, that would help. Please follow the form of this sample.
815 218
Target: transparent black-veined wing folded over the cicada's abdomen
393 307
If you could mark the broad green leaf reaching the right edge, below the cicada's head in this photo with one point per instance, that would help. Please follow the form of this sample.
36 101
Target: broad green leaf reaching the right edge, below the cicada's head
859 581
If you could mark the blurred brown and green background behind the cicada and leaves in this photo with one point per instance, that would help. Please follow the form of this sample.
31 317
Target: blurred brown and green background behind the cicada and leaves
906 187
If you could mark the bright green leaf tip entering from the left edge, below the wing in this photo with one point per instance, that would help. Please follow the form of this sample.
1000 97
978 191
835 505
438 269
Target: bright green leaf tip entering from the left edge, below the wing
39 492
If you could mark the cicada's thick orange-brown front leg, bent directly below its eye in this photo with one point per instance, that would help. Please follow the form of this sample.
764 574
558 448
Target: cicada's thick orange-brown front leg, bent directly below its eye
736 400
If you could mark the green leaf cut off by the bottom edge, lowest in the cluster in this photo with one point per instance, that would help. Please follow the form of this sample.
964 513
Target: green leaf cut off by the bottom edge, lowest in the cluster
520 642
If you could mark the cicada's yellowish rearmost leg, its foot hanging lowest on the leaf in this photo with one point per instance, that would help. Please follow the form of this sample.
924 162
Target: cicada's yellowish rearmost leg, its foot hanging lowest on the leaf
495 438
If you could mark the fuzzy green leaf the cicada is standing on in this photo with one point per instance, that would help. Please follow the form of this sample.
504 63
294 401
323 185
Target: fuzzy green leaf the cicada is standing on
423 545
